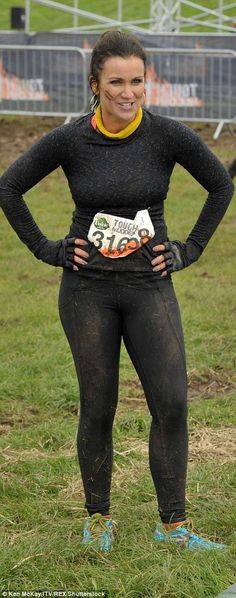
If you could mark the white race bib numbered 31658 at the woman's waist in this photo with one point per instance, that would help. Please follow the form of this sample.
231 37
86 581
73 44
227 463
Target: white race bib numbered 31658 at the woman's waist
118 237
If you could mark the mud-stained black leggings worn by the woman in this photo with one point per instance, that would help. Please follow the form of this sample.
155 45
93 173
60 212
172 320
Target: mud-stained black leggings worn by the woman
95 317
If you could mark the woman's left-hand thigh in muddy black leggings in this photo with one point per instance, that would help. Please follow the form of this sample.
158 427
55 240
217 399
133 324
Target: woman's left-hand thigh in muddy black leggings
93 328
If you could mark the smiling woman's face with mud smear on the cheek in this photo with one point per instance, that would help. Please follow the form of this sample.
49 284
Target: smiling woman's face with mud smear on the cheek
121 89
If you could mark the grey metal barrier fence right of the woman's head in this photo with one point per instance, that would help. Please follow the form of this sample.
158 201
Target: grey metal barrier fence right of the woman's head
192 85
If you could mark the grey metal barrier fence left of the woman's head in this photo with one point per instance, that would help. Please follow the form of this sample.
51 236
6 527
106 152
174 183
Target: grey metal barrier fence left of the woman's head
43 80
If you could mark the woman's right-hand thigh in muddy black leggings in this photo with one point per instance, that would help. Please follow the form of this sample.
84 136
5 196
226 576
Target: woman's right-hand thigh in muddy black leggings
153 336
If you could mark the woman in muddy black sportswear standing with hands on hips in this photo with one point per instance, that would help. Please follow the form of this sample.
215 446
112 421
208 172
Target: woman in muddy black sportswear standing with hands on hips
117 262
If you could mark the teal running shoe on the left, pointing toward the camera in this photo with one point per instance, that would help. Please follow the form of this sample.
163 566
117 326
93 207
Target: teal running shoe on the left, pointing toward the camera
99 532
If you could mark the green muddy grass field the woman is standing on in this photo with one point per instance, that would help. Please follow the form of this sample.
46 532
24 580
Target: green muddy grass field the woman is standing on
41 511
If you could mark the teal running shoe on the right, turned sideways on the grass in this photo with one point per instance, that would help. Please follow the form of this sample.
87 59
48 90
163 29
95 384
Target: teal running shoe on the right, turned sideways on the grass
183 537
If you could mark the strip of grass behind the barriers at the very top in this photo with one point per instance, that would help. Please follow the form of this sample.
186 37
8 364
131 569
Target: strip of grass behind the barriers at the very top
44 19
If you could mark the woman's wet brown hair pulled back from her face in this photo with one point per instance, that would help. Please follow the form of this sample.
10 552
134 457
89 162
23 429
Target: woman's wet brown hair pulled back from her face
112 43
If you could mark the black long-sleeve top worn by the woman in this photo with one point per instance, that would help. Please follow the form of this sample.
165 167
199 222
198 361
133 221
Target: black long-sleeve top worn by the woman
118 176
